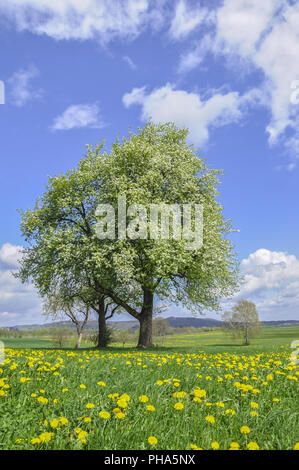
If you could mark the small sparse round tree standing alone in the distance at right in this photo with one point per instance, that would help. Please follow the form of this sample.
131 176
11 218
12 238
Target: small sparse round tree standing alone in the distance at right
242 321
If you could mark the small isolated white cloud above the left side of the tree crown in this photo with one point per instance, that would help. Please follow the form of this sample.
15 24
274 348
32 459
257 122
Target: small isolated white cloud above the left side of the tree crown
78 116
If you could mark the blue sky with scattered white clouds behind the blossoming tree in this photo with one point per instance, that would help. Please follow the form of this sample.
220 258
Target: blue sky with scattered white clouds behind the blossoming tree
78 72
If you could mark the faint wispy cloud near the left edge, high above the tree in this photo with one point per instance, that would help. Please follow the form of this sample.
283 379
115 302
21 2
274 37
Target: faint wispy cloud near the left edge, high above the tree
21 89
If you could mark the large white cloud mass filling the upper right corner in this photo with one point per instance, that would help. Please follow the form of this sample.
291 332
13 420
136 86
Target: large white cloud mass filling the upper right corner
265 35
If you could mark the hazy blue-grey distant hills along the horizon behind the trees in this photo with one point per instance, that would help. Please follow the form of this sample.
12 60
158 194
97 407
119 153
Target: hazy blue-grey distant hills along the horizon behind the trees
174 322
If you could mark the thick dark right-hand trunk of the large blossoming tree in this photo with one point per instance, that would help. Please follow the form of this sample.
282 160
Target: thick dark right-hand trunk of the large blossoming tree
146 320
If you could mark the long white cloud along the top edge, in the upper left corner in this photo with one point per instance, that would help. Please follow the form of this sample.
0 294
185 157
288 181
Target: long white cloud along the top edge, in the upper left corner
83 20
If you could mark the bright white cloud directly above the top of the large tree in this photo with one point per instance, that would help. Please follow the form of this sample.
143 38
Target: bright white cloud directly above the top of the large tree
190 110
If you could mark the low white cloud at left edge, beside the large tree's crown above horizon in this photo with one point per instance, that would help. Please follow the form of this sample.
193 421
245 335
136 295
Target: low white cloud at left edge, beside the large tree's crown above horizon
19 303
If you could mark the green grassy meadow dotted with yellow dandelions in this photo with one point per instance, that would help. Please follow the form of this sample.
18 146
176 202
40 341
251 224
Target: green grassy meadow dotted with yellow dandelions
196 391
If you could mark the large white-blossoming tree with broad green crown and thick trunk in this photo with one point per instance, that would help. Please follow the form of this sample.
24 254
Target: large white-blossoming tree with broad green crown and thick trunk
155 165
